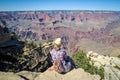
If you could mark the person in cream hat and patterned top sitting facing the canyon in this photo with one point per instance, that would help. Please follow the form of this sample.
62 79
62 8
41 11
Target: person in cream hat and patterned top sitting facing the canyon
61 62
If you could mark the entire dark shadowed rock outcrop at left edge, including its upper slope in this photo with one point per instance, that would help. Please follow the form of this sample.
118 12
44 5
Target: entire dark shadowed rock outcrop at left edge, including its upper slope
10 49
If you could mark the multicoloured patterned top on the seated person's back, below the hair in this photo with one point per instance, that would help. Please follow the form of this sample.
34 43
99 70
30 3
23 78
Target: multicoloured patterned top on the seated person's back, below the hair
60 57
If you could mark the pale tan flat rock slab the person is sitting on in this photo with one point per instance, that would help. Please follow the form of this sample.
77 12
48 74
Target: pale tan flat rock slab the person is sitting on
76 74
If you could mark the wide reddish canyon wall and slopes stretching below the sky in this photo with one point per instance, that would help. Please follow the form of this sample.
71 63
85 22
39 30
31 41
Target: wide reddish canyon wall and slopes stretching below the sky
79 30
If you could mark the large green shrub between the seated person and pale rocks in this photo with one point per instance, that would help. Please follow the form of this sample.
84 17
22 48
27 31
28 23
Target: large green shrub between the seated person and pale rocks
81 59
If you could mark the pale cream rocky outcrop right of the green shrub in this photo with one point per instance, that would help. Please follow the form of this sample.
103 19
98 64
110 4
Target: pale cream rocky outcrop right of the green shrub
111 65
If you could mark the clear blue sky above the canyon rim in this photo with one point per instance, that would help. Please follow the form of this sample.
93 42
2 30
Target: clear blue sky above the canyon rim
26 5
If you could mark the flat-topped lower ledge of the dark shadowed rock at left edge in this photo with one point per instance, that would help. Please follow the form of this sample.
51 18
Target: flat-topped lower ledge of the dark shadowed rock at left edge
9 55
